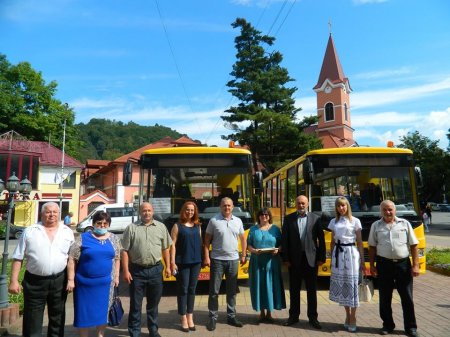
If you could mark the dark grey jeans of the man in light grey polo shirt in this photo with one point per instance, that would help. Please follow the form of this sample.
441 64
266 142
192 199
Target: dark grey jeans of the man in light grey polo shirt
217 270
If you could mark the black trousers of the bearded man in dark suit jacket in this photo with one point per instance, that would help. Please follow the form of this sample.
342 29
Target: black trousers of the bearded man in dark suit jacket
298 274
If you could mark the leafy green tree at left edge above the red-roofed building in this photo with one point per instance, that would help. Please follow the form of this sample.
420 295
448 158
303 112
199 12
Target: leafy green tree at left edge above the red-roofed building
28 106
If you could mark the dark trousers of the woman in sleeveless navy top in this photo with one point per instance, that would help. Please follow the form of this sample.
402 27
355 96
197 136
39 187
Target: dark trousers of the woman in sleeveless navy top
186 284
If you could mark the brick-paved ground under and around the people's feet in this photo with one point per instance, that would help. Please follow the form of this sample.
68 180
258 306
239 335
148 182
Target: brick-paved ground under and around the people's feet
431 293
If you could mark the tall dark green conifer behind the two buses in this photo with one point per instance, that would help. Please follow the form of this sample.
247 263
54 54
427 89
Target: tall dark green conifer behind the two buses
265 117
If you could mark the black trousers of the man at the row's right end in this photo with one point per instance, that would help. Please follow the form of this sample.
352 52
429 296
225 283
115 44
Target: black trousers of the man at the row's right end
396 275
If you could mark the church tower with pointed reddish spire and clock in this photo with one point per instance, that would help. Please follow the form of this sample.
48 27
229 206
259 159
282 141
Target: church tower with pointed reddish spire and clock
333 102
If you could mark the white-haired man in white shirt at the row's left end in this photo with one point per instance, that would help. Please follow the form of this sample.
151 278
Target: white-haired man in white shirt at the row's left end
45 246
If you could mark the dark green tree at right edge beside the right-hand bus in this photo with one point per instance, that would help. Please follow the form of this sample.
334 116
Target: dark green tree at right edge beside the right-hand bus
434 163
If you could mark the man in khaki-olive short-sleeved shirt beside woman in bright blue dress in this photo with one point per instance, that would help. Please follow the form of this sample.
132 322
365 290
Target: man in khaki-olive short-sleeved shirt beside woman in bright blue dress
144 245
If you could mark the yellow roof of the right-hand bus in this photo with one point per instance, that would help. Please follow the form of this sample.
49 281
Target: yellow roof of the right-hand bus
343 150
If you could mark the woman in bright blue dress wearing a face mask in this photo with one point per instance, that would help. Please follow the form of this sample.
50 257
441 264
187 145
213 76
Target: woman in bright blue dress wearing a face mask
93 272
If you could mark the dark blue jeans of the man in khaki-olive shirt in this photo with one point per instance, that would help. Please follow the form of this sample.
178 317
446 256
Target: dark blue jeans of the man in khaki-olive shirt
148 282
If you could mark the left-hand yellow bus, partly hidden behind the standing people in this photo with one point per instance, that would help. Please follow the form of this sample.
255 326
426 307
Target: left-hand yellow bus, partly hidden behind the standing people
171 176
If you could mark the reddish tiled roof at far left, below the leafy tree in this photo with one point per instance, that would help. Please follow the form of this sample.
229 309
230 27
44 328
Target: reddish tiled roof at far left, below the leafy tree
49 155
